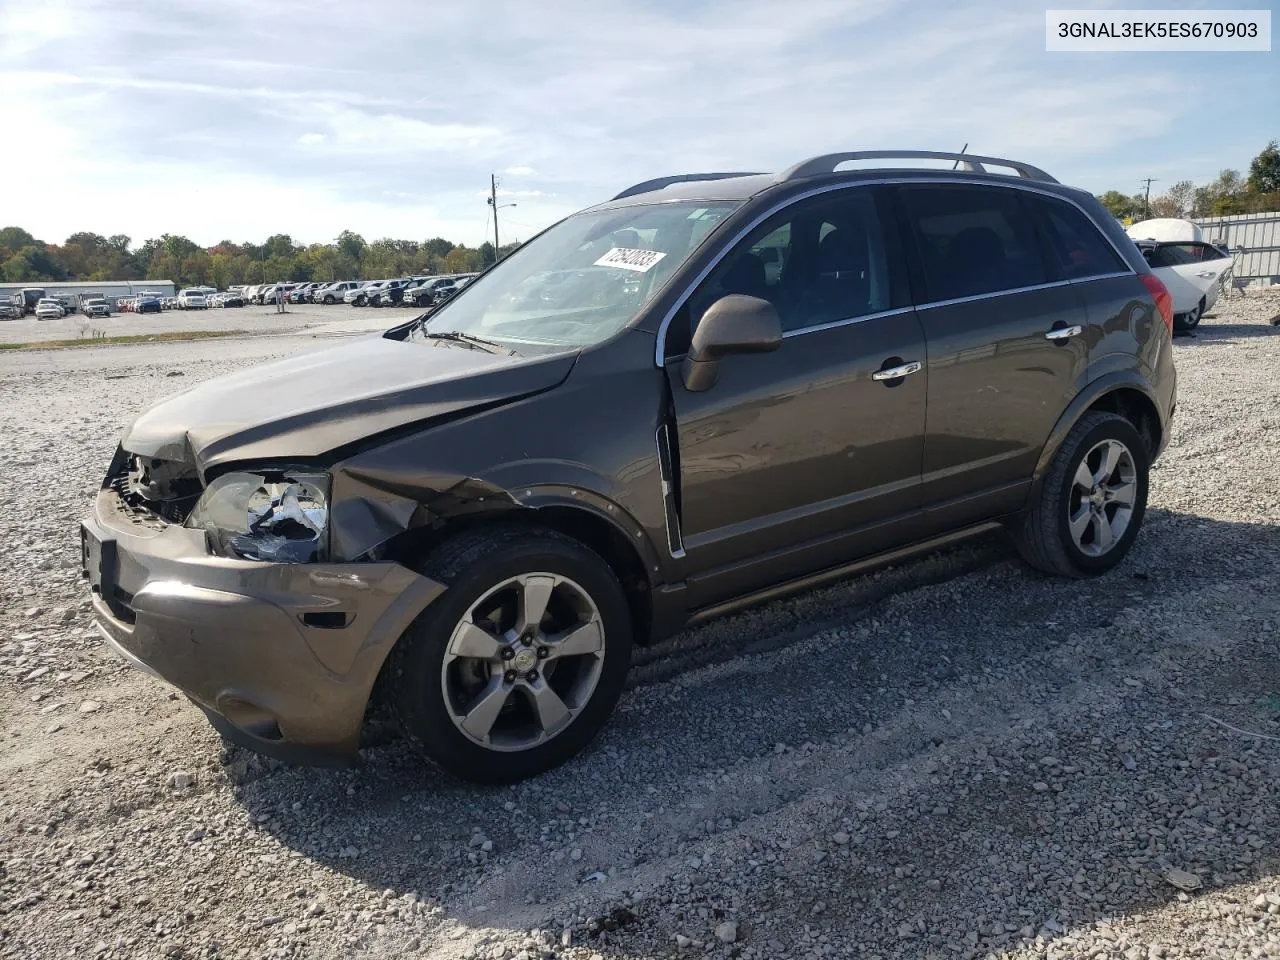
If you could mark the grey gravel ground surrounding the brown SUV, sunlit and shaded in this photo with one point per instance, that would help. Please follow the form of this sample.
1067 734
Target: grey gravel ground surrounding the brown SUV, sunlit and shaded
953 758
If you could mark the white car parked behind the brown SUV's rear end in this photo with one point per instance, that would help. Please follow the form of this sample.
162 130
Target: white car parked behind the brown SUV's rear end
1190 267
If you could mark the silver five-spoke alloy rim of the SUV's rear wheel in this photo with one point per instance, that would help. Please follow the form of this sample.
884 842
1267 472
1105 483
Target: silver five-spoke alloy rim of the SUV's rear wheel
1104 491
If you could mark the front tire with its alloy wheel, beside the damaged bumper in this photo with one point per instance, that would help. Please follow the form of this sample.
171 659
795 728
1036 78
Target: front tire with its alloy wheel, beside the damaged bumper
519 665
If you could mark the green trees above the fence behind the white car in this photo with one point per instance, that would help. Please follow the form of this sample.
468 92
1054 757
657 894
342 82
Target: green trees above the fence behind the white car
1229 194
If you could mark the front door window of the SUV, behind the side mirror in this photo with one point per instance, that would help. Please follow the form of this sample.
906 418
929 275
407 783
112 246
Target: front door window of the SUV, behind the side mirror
819 262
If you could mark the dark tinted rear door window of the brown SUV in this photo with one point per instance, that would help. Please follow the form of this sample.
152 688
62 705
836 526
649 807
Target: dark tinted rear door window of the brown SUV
972 240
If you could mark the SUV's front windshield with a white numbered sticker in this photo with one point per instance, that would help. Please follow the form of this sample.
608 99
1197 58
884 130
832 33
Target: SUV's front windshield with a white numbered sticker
584 280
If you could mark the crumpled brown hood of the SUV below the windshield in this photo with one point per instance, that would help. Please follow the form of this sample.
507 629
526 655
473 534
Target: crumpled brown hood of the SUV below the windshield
308 406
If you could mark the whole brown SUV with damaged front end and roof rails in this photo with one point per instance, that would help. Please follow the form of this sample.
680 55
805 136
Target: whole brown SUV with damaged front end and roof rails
707 392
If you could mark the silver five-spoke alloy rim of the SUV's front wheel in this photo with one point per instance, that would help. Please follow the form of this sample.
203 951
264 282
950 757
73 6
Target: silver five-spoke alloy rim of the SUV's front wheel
523 662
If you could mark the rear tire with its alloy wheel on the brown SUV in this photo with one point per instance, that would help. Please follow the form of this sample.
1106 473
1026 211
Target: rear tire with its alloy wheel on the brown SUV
1092 501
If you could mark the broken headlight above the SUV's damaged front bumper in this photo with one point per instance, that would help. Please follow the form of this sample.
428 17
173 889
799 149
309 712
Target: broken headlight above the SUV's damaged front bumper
278 515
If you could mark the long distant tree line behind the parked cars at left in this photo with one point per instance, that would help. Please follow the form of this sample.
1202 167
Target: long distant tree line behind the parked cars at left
90 257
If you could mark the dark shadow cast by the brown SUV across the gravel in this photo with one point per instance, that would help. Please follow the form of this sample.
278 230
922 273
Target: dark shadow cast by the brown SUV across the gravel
758 738
